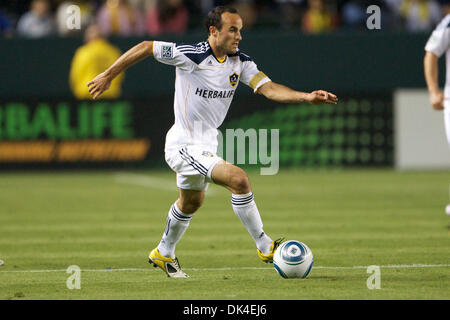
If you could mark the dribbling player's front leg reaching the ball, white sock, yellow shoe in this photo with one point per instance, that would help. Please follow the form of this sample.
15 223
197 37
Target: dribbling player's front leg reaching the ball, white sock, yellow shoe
236 180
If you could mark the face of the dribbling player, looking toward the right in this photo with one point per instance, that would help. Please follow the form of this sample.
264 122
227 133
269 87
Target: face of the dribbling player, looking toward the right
229 36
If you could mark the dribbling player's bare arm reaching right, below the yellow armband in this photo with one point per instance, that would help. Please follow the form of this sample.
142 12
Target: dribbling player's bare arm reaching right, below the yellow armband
281 93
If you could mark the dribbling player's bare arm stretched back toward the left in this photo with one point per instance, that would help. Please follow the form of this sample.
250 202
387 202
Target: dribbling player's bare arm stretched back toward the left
102 82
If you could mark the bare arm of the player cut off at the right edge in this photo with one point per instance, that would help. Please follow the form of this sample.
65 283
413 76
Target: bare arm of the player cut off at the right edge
430 63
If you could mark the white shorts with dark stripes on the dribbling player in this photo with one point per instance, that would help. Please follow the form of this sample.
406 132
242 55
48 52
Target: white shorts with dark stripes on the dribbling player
193 165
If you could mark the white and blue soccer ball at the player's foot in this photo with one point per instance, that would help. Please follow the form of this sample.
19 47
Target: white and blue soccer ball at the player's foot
293 259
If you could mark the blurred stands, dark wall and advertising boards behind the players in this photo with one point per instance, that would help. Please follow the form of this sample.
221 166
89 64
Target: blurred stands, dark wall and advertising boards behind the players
383 118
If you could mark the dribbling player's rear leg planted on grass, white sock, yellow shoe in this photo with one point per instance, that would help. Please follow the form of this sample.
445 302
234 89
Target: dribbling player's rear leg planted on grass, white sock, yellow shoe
178 219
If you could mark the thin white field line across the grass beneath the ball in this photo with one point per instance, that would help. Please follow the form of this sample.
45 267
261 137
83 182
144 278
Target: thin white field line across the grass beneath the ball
399 266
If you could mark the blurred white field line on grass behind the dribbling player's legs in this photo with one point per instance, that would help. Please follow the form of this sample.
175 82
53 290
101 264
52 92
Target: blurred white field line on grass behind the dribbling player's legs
150 182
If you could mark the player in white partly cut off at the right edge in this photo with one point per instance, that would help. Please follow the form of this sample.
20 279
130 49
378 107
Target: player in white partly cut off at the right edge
437 45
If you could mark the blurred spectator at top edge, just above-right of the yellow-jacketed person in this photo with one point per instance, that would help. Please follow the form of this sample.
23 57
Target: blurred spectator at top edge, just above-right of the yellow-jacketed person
117 17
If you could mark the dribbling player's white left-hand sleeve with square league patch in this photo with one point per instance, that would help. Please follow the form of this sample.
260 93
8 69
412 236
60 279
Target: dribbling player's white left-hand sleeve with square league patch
167 53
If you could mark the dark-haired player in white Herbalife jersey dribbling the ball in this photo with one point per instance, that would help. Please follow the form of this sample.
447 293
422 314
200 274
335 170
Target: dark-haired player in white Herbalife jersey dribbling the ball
207 74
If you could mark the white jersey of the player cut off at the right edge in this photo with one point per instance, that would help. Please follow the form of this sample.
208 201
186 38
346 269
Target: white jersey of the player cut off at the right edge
439 43
